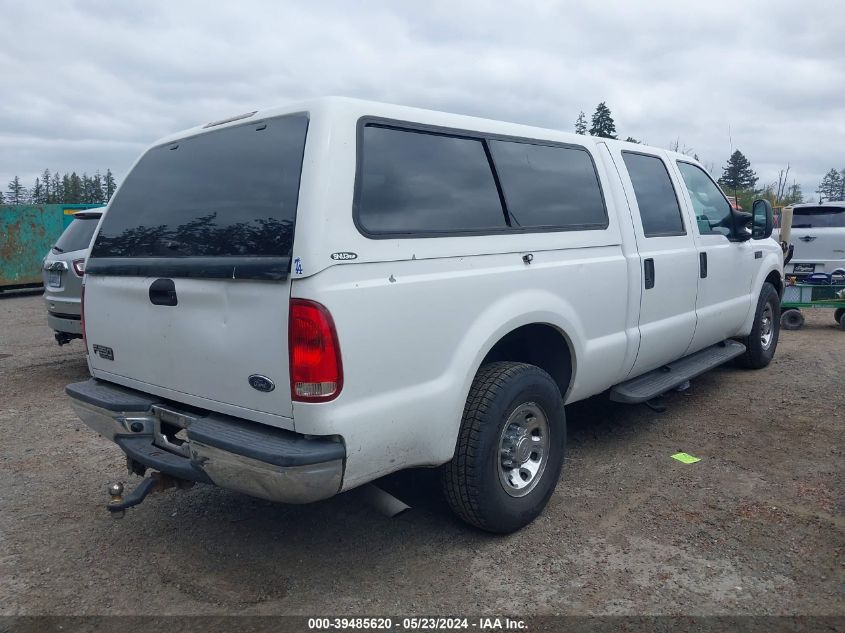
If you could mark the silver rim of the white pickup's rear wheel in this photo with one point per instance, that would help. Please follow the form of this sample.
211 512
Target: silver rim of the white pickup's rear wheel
523 449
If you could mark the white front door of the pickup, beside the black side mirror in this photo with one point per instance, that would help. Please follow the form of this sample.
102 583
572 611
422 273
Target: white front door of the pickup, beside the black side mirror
726 268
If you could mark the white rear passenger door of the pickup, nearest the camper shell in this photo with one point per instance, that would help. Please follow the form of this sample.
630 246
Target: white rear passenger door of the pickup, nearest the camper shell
668 260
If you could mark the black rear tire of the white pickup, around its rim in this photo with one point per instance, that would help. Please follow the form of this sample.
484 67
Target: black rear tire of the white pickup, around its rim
472 481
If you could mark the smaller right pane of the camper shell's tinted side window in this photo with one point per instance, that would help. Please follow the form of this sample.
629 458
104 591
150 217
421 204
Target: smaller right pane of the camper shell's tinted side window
549 186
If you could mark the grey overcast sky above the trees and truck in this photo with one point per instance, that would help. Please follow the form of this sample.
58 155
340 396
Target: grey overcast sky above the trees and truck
87 85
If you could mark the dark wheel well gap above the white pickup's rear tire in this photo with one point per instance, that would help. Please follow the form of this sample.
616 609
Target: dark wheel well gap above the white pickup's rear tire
537 344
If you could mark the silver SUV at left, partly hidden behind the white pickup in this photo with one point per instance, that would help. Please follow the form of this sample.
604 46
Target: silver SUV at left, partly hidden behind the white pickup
63 269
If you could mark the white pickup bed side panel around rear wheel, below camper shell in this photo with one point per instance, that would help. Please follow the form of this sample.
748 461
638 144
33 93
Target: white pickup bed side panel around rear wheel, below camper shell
413 334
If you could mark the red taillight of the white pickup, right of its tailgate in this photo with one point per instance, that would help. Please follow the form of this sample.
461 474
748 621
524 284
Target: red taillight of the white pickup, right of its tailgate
316 373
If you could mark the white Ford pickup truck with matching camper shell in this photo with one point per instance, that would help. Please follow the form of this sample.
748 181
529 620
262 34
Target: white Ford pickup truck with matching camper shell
294 302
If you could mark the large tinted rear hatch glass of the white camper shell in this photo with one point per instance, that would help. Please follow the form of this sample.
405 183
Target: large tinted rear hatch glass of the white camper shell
229 193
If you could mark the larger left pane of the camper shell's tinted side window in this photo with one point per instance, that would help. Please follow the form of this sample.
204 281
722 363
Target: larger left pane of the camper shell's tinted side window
411 182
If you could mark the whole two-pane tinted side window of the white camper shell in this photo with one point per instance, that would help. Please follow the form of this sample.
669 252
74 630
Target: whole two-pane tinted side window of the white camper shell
419 181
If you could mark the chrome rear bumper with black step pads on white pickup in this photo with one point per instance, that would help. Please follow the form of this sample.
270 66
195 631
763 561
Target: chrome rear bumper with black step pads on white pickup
232 453
